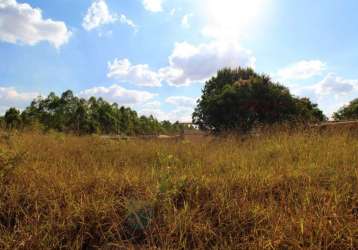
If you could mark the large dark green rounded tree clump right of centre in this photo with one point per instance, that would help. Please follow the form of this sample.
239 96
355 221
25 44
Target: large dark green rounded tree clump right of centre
239 99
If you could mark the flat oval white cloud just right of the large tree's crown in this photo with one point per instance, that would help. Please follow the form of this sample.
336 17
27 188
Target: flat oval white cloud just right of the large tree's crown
301 70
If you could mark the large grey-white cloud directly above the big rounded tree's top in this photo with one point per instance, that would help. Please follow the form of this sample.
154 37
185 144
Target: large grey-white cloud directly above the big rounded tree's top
189 63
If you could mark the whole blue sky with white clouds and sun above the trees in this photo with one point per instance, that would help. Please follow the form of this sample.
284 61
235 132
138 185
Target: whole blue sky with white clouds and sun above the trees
155 55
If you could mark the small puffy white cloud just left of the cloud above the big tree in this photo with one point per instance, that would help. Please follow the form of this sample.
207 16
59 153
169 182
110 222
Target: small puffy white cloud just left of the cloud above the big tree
139 74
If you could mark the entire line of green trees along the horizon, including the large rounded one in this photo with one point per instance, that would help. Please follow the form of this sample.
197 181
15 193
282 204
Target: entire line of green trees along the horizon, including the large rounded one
235 99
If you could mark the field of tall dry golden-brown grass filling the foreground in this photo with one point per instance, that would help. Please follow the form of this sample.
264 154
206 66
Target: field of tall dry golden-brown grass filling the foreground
277 191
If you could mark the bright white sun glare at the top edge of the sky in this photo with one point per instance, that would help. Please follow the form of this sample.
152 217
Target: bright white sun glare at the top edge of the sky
230 18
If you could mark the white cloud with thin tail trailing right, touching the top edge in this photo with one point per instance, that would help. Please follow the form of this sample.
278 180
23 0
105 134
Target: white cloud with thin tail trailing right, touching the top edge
98 14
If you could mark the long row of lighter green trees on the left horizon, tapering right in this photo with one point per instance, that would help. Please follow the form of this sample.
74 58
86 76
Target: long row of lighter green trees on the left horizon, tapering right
69 113
